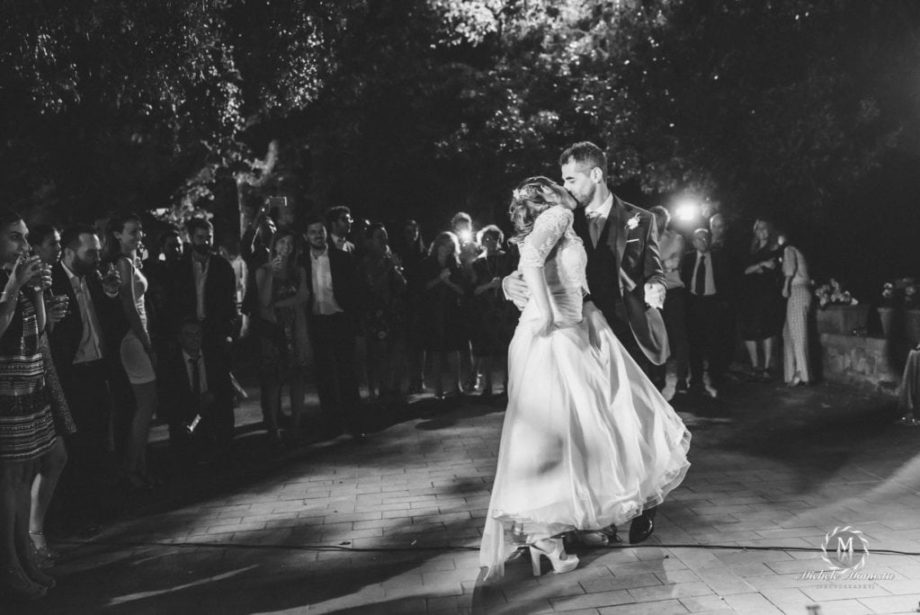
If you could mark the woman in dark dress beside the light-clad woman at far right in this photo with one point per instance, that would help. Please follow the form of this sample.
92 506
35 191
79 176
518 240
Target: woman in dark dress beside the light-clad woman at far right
762 309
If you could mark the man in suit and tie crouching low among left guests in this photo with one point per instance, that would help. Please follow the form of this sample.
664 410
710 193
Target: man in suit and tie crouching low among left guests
198 396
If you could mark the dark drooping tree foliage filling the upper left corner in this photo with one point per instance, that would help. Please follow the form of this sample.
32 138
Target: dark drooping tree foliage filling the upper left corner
141 103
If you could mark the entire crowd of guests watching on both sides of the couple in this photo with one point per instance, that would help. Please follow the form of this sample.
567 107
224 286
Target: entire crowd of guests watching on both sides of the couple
96 341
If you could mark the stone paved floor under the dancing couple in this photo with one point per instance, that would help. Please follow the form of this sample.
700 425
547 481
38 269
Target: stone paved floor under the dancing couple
392 525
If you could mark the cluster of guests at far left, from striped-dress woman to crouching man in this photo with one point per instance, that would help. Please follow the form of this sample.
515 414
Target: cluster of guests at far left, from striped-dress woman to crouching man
92 340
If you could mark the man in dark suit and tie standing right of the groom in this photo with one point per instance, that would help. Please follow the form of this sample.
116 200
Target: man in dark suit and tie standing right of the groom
707 274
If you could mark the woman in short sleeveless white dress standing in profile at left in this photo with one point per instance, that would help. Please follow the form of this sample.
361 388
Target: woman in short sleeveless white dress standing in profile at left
138 358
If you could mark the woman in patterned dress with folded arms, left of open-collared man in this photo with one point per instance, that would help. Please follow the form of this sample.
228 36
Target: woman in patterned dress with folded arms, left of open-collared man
282 326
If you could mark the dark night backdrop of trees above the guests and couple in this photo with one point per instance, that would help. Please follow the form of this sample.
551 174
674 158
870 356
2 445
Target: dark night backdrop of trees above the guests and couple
803 111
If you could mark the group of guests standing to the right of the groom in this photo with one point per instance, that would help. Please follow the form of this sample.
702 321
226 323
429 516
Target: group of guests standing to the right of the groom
719 291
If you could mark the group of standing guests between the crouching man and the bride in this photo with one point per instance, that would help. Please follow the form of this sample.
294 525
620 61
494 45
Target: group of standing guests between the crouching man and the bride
336 302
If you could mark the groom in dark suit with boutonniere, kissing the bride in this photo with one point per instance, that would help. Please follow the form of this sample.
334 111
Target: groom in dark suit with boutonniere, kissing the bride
624 274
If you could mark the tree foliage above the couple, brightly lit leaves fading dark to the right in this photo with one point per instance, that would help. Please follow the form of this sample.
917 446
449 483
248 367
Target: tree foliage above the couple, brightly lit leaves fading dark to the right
776 106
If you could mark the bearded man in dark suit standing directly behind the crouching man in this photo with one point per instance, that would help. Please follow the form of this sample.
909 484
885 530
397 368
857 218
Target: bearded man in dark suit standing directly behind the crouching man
203 286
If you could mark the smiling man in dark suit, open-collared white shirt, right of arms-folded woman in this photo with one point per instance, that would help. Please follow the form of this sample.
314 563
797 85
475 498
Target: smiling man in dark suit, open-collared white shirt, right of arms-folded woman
332 312
